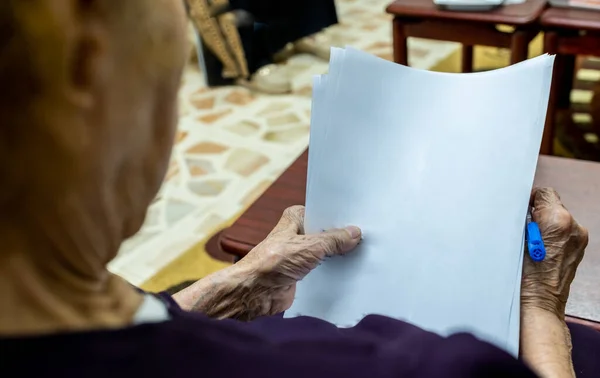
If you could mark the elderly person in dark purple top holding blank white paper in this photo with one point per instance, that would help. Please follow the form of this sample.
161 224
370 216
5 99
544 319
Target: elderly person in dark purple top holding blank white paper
87 116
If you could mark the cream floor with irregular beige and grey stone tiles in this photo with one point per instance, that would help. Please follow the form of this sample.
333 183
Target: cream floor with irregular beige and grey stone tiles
233 143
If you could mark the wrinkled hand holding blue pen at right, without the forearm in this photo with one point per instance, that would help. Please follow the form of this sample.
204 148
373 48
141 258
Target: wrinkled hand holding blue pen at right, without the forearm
546 283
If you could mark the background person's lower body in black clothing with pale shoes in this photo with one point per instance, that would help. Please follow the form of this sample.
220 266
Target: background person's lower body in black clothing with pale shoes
235 45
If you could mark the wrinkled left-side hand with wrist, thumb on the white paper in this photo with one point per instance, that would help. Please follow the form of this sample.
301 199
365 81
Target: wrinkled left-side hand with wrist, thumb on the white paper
264 282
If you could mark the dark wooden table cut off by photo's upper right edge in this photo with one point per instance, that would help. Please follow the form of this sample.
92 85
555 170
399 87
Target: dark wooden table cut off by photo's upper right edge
568 33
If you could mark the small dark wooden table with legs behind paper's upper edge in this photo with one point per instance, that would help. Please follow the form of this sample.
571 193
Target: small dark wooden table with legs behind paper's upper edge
423 19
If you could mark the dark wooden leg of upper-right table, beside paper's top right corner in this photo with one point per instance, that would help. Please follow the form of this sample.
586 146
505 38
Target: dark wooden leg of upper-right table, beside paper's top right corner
551 47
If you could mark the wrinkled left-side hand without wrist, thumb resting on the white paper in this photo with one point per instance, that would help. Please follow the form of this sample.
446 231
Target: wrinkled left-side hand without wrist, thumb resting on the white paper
287 255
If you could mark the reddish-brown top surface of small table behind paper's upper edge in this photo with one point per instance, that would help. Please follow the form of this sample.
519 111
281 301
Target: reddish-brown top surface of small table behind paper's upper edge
515 14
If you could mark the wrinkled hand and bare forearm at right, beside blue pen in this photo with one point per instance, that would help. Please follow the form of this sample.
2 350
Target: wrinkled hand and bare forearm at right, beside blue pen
545 339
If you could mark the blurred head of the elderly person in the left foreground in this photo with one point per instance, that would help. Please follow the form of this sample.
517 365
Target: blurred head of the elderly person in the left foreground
88 111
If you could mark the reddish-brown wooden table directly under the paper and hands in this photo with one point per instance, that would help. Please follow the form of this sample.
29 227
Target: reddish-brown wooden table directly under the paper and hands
578 183
